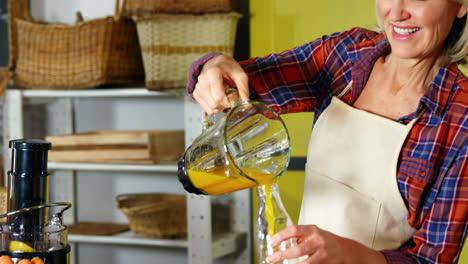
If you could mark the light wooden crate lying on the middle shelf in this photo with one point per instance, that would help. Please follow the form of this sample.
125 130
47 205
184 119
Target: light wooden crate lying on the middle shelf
118 146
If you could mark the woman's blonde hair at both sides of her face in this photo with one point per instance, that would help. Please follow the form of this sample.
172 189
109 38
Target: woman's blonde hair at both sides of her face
456 46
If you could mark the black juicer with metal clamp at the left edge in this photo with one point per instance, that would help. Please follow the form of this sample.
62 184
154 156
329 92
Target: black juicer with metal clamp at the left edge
28 233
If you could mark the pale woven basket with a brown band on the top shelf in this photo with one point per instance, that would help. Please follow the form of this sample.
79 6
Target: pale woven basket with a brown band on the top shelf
170 43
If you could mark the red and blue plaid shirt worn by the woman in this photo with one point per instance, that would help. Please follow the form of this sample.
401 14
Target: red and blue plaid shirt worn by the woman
432 170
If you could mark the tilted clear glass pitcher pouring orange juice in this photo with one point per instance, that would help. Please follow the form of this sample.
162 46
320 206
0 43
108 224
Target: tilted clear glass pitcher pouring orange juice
247 147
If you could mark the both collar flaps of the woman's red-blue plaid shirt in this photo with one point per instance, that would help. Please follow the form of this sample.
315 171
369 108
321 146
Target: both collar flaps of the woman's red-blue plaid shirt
364 55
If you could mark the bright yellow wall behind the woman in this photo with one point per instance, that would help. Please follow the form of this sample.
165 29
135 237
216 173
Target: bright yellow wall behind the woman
277 25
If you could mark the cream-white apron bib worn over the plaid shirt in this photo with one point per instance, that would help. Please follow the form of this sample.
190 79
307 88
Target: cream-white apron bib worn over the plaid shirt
351 184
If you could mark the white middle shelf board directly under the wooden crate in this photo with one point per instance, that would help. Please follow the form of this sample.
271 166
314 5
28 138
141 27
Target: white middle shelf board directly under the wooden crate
166 167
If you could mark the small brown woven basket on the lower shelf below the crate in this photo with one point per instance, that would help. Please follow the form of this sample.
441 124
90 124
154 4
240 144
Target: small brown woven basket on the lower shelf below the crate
159 215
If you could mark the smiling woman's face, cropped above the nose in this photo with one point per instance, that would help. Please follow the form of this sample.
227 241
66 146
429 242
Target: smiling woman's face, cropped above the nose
416 28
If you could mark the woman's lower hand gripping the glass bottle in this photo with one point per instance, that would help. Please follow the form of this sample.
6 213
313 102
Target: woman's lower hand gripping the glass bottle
319 246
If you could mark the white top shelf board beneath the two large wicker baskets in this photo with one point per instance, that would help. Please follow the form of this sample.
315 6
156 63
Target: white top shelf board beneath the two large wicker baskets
101 92
